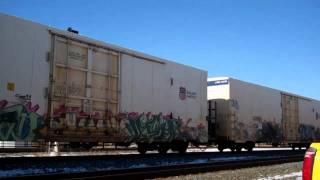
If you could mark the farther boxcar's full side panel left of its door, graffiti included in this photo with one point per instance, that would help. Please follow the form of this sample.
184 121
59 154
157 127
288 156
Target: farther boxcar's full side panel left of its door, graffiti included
257 112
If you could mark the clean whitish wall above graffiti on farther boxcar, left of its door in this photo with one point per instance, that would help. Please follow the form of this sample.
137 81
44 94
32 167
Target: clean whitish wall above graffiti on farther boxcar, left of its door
254 102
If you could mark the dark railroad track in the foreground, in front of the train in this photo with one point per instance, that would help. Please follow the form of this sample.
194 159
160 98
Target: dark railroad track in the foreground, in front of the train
219 161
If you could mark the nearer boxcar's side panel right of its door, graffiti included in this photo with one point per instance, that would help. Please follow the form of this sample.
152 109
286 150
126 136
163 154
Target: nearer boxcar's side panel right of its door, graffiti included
160 92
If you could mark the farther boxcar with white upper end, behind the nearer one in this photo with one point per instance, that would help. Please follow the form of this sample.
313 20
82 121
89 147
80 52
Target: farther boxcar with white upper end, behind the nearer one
244 113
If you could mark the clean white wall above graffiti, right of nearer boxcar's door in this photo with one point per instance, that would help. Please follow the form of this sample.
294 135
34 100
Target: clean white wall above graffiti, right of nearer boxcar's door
146 87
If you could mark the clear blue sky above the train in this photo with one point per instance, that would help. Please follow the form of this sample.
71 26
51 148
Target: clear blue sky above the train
275 43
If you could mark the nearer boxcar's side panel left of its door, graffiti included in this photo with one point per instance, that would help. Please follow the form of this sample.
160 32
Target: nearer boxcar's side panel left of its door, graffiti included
24 78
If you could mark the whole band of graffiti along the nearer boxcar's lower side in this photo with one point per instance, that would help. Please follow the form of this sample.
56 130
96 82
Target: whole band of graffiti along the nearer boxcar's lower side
21 122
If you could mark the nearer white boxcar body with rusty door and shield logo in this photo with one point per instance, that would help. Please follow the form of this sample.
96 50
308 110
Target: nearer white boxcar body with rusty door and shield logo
61 86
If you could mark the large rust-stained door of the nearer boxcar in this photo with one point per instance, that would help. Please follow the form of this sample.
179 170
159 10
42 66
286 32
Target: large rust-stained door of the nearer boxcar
84 89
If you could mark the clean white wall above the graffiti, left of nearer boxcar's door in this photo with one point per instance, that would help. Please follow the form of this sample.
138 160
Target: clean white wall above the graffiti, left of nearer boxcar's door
23 49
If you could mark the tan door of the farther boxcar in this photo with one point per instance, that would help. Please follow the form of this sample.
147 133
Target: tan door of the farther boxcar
290 118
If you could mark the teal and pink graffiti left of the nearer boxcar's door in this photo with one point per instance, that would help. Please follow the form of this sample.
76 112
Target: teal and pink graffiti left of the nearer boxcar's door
19 122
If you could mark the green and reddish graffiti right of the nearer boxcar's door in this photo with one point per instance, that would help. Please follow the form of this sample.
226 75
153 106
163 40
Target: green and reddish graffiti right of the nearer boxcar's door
158 127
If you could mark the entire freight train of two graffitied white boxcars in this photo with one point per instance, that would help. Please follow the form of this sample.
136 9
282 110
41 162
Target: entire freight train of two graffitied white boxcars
59 86
